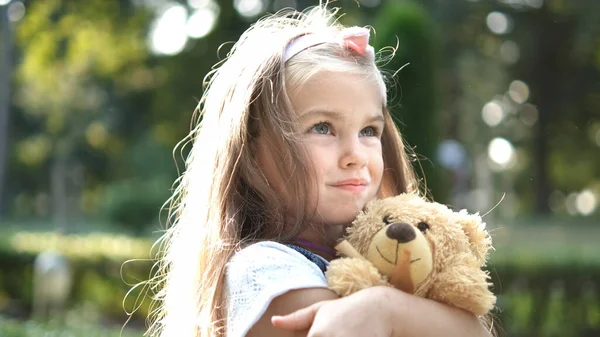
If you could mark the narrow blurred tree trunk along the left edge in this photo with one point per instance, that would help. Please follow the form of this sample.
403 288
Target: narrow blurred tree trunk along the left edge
5 81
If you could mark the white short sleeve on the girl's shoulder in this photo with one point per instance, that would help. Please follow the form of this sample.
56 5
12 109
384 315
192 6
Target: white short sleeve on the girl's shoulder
260 272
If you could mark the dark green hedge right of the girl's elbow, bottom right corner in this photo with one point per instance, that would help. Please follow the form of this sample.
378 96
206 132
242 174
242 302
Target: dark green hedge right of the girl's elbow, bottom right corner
548 300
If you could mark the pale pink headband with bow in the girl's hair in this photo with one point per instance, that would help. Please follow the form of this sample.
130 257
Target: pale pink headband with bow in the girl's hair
354 38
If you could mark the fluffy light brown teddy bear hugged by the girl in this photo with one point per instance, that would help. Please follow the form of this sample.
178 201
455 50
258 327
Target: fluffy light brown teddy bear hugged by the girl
419 246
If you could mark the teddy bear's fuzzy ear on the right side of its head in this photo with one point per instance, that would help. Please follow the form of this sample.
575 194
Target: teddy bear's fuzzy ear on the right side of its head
480 241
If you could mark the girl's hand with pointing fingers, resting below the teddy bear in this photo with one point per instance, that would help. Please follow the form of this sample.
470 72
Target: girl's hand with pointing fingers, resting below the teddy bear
363 313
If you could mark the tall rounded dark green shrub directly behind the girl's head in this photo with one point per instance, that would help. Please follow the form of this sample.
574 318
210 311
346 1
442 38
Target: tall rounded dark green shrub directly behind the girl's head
414 98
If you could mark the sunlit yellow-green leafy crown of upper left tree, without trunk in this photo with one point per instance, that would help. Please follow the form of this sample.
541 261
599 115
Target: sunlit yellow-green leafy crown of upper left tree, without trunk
67 47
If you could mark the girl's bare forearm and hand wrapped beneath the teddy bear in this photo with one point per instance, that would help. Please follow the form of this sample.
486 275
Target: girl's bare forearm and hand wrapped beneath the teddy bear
382 311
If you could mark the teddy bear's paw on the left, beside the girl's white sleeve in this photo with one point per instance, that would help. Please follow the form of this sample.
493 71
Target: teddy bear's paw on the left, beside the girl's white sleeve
349 275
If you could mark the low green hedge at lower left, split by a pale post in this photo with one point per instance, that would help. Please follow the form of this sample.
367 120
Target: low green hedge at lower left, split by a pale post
101 282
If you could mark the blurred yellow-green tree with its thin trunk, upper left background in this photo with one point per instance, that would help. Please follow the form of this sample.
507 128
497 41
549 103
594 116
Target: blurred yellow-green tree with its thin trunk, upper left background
77 58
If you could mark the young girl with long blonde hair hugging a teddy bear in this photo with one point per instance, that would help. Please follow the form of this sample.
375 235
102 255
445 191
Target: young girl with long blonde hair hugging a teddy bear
294 139
